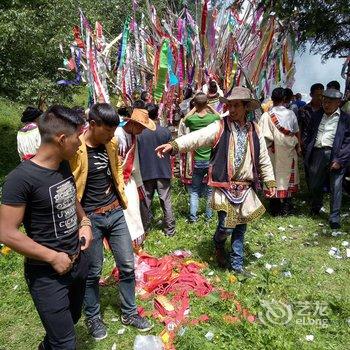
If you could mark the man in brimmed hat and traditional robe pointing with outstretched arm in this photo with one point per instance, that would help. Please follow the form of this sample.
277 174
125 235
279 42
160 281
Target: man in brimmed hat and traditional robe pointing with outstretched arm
239 157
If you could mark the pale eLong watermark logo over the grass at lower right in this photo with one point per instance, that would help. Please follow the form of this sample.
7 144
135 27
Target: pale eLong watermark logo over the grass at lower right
304 313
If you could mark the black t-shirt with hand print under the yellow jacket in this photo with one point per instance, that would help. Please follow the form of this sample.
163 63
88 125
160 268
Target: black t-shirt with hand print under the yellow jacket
99 190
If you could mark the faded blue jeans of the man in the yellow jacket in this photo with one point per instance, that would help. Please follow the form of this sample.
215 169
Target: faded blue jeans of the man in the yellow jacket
111 225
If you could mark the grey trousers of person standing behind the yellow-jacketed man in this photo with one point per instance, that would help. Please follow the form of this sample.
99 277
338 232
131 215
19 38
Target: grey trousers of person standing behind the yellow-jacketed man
163 188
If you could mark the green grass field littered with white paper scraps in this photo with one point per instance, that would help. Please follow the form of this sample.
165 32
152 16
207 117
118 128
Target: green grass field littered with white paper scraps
319 302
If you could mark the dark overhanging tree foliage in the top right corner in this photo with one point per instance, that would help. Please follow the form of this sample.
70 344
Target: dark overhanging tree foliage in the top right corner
324 23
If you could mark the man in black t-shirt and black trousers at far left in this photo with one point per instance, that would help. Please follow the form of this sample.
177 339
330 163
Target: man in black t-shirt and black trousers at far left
41 194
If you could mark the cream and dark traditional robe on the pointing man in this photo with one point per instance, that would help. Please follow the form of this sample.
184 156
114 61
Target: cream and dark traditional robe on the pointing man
239 159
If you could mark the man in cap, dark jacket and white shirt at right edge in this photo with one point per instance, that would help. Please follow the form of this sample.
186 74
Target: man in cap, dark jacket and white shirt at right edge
328 153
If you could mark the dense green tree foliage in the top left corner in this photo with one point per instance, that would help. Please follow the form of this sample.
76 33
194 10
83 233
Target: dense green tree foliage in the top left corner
30 35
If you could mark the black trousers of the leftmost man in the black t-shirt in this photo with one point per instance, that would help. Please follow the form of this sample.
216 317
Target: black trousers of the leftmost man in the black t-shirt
58 300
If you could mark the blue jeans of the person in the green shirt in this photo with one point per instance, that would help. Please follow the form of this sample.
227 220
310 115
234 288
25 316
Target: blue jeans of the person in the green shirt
199 172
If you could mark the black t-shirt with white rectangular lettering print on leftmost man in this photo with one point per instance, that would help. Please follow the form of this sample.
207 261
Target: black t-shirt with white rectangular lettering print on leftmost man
50 217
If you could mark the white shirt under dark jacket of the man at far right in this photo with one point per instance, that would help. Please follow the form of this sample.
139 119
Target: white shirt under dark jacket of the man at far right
327 129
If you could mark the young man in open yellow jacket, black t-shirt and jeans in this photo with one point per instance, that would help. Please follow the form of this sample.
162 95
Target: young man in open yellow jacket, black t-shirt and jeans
100 189
